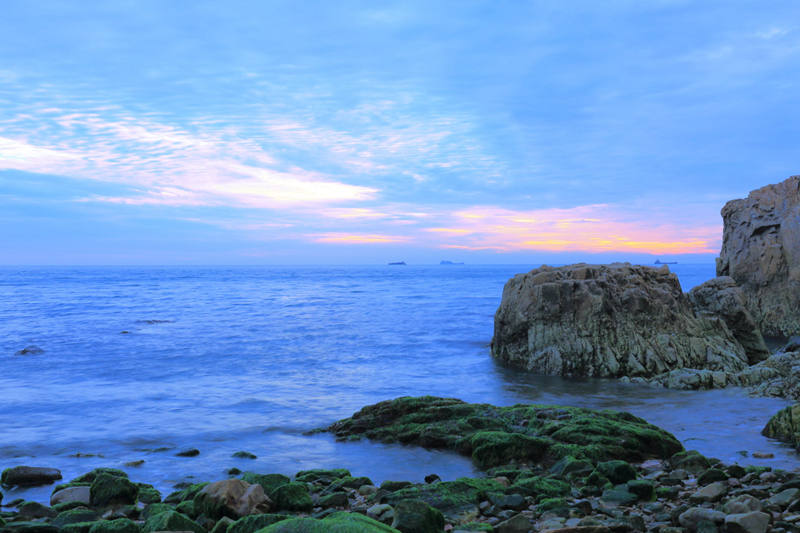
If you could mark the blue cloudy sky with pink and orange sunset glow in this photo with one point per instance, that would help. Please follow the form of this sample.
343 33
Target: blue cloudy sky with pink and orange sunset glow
190 132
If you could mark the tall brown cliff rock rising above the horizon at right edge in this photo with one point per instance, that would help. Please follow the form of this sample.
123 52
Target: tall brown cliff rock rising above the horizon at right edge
761 252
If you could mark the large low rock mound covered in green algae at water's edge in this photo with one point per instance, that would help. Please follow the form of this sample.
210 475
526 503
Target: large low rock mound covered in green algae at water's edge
500 435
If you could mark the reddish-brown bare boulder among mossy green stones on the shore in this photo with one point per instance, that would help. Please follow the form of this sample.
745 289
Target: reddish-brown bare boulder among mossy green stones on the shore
233 498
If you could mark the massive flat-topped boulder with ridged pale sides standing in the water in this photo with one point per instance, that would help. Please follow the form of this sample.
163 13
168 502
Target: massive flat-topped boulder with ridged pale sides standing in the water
610 321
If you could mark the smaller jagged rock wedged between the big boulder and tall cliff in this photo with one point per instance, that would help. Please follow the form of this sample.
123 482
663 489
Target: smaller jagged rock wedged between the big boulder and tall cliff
721 297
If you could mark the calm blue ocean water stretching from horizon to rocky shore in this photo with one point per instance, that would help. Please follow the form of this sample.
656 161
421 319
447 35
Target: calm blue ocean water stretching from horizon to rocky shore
140 363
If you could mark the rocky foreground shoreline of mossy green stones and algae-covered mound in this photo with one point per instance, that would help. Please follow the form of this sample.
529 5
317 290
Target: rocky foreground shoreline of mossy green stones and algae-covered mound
548 468
